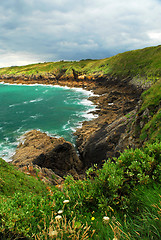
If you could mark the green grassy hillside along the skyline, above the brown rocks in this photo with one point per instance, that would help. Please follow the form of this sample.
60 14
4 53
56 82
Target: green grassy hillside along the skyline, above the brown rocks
137 63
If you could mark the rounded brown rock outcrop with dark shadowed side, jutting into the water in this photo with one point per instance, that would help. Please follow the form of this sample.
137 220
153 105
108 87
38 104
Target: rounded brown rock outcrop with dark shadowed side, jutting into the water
47 152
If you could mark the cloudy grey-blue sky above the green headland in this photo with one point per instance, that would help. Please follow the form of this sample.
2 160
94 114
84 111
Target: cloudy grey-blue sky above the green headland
33 31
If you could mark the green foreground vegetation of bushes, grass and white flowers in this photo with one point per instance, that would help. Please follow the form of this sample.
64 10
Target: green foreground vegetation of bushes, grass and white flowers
122 199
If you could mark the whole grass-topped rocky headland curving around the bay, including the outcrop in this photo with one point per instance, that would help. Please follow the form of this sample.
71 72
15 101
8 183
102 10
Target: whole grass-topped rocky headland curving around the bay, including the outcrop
118 83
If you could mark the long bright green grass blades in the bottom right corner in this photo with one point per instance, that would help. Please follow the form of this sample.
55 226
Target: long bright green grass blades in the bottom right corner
145 213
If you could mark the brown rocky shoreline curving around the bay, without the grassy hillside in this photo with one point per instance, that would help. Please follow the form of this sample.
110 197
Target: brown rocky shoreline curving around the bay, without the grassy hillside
97 140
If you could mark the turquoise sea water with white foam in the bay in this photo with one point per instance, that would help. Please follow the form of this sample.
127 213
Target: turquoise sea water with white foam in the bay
57 111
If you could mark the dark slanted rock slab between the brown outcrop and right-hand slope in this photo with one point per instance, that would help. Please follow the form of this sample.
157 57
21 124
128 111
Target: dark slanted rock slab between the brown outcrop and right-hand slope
102 144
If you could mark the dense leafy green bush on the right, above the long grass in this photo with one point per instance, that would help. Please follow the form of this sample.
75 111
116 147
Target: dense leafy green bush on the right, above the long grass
112 184
